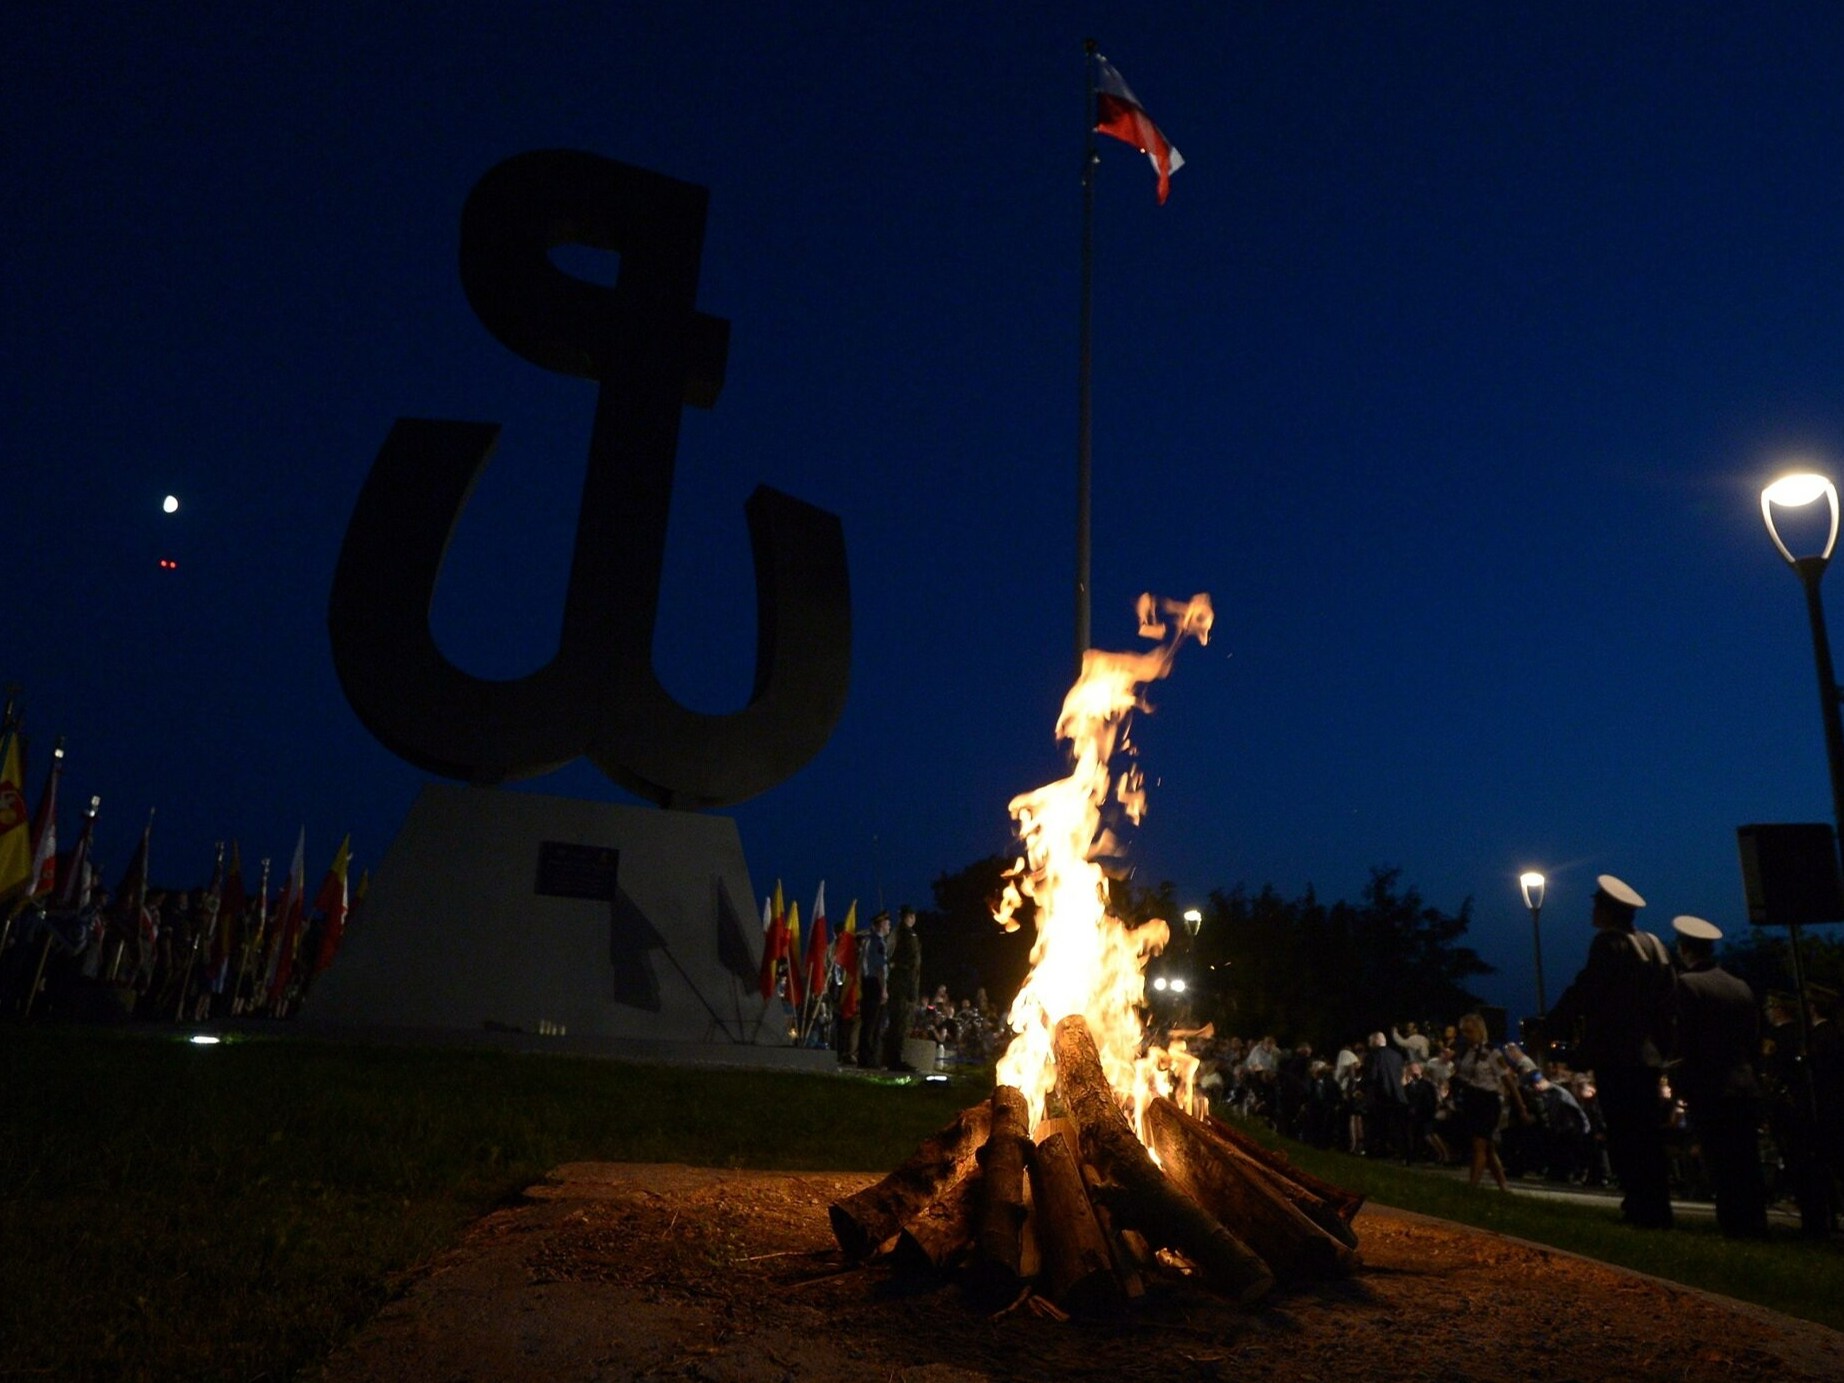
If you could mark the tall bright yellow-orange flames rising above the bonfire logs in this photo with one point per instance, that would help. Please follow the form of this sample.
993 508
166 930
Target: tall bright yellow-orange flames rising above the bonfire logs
1087 962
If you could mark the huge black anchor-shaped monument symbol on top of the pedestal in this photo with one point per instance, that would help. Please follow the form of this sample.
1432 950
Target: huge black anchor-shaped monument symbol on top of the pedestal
652 353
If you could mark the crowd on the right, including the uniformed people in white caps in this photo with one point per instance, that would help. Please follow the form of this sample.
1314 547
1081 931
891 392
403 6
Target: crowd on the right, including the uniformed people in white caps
1664 1076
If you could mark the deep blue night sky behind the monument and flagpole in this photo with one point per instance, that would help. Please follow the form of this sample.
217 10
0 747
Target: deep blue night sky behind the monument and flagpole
1452 372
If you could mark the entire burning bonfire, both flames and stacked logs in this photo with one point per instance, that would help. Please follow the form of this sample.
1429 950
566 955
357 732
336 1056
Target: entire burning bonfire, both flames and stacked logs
1094 1166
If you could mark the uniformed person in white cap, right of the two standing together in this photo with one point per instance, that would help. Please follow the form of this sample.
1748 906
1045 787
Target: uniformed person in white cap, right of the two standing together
1718 1035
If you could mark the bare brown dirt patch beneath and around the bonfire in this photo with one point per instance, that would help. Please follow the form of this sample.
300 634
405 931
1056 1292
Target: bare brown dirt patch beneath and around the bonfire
617 1271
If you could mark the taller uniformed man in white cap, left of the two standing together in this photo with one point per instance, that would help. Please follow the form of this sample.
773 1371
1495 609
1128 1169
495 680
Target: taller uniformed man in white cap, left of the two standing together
1624 1004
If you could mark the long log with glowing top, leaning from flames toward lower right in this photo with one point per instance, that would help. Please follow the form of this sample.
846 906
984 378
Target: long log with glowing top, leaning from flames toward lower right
1135 1190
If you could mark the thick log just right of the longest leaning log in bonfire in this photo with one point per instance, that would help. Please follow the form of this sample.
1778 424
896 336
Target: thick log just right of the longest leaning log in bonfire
1236 1192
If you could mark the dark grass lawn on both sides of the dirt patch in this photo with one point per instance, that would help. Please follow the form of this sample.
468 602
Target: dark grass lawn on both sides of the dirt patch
233 1212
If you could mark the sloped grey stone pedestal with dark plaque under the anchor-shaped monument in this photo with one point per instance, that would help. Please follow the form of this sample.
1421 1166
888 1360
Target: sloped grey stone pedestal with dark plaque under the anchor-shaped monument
550 925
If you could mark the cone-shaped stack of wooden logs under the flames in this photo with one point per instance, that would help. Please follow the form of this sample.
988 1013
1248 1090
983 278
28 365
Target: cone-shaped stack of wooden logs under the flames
1076 1209
